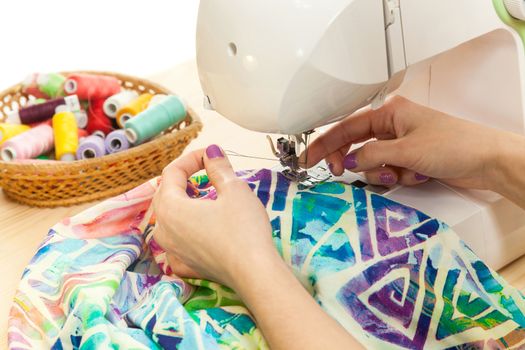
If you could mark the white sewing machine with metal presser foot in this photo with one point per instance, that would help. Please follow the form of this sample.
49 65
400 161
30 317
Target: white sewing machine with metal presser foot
289 66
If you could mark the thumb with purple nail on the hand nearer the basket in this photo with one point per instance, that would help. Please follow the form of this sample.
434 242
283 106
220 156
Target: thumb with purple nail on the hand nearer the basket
218 167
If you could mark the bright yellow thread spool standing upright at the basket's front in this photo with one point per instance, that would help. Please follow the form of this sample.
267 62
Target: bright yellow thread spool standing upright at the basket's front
66 136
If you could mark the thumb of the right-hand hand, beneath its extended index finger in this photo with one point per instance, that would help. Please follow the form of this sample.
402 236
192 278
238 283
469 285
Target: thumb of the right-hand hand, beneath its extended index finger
375 154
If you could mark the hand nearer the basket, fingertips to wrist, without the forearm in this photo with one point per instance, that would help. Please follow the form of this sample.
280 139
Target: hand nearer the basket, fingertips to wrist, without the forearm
205 238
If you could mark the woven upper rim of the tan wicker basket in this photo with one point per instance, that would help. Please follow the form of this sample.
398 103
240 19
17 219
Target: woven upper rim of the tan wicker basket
192 121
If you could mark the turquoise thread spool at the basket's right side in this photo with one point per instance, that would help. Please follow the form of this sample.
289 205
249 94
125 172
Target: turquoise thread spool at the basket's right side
155 120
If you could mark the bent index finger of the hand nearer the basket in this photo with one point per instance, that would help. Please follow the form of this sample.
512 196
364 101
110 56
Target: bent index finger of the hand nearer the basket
175 176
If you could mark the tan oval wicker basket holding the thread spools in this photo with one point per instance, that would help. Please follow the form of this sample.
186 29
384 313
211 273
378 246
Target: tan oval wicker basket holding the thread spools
62 184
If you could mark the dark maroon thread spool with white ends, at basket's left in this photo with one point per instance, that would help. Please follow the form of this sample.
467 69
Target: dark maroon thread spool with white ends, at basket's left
41 112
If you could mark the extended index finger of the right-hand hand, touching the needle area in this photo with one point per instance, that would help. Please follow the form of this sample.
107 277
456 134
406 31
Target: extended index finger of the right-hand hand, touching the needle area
362 126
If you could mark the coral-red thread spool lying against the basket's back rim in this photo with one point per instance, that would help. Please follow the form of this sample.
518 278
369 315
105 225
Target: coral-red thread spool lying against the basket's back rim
91 87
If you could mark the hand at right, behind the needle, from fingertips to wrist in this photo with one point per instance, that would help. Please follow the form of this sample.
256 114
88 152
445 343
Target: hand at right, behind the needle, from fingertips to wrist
408 144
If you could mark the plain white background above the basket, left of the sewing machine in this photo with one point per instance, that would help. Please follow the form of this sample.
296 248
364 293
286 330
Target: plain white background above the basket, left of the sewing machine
136 37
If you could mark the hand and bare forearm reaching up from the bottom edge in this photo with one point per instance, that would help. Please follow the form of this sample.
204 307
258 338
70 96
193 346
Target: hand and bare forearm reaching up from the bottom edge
229 240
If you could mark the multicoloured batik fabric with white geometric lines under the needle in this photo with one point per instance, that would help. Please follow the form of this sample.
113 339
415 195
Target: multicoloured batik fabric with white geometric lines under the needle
391 275
